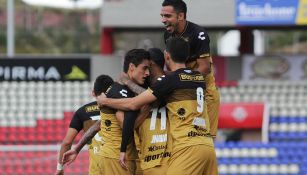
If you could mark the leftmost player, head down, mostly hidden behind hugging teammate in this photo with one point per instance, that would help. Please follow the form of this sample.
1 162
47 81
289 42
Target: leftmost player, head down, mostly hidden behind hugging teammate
82 119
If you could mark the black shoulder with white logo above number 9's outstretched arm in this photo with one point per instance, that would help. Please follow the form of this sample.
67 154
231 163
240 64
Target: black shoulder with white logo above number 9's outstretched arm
119 91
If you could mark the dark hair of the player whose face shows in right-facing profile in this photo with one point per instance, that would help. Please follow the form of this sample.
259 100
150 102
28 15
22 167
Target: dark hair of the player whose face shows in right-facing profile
136 57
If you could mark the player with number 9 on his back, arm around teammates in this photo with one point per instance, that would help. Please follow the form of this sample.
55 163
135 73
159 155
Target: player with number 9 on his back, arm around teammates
183 91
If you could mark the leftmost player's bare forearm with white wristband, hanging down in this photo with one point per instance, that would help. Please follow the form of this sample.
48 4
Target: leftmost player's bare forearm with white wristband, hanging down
65 146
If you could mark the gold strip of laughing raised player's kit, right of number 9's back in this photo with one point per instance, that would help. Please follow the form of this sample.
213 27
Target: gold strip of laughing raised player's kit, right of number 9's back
213 106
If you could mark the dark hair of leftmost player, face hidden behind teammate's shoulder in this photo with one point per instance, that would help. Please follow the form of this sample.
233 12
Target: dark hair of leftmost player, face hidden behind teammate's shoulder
101 84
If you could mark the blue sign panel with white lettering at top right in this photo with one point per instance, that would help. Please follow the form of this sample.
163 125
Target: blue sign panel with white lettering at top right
266 12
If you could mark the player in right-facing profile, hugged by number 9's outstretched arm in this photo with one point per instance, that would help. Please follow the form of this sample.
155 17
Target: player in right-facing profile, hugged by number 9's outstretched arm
136 65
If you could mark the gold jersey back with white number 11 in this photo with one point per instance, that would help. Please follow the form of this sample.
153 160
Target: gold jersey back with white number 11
153 137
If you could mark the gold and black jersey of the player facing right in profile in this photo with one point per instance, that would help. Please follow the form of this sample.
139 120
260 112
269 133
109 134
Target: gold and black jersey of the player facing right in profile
111 130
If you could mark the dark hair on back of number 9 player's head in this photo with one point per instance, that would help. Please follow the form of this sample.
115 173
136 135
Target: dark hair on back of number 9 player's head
178 48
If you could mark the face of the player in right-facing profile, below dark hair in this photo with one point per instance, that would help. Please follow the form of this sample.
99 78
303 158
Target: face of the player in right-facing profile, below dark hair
139 73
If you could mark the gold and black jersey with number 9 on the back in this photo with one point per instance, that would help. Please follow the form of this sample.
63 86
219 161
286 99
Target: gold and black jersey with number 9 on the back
183 92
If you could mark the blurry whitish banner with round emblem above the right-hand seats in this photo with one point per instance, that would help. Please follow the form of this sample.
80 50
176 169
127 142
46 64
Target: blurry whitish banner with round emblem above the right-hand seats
274 67
